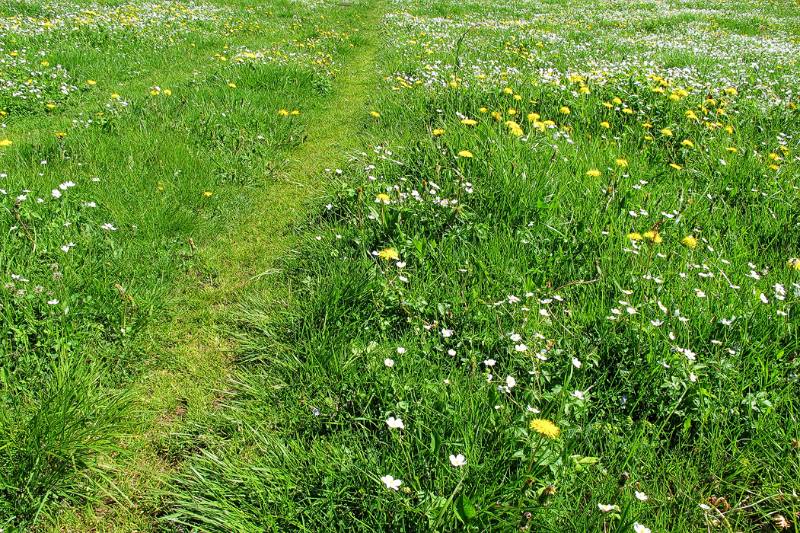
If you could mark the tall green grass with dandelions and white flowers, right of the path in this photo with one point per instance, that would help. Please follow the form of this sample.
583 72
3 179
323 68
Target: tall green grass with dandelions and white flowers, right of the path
595 311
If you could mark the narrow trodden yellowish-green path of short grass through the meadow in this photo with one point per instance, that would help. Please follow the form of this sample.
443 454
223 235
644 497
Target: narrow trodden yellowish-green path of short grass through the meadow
201 344
